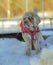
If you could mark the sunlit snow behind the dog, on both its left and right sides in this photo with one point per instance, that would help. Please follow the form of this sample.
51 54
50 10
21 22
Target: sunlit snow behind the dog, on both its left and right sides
14 27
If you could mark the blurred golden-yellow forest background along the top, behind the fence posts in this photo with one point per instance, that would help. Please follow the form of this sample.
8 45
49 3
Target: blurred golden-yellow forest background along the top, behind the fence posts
18 7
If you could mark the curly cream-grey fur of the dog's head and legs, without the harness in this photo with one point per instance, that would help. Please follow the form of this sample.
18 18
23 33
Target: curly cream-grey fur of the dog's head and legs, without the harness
35 20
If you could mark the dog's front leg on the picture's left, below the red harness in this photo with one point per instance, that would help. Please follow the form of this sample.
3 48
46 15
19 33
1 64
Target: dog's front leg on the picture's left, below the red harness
27 39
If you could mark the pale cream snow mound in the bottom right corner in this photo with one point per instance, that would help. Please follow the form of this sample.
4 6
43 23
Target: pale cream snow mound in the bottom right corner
46 57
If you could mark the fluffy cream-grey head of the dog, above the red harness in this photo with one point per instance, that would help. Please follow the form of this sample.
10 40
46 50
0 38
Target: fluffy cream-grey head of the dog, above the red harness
30 20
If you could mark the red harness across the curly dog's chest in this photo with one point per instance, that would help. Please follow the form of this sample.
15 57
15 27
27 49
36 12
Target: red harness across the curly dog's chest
26 30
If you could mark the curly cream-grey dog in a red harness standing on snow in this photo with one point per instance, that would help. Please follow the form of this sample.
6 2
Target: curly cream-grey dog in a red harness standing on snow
30 31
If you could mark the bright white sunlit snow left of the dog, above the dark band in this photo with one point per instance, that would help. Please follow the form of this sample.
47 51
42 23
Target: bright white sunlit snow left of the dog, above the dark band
12 27
